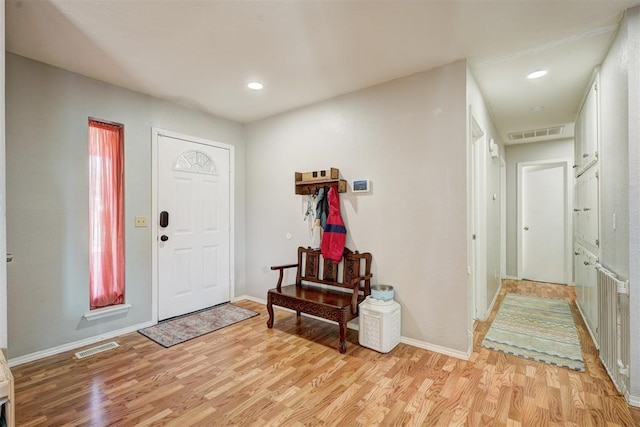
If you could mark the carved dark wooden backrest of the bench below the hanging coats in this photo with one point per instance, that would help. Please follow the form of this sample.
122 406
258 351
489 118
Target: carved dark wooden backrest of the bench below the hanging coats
313 267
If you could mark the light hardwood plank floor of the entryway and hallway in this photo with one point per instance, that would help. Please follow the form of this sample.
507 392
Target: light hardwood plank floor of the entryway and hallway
292 374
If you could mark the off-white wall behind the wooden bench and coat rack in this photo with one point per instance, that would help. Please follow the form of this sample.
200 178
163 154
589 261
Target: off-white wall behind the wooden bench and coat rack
407 136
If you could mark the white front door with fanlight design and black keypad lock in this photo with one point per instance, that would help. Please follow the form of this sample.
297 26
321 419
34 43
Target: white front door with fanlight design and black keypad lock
194 226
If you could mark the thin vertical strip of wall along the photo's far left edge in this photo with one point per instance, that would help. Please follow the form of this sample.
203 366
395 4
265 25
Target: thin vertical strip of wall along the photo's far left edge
3 213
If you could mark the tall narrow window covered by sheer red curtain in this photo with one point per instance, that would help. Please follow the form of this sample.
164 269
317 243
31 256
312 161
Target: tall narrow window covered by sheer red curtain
106 207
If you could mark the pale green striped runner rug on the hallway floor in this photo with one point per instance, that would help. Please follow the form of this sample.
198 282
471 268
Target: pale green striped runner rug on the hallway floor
537 328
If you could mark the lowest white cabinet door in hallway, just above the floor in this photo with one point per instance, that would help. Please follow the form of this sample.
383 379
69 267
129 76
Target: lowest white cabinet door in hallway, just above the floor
587 287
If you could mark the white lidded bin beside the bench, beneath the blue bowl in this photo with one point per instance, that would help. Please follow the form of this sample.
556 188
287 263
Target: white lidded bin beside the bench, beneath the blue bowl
379 324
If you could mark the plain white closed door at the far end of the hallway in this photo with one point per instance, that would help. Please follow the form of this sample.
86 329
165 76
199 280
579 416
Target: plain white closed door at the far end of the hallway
543 222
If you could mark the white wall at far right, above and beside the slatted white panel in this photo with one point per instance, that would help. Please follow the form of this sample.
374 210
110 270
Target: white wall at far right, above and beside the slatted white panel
620 178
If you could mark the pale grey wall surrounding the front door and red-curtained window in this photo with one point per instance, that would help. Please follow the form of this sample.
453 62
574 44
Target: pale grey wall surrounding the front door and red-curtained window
47 198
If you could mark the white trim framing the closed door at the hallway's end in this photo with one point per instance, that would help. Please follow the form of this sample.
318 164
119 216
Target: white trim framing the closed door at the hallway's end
566 163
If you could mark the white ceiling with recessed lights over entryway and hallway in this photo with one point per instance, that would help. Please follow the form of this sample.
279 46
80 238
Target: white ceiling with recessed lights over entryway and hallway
202 53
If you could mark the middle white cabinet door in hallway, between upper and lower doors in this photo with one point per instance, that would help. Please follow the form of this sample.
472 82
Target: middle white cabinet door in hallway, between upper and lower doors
587 210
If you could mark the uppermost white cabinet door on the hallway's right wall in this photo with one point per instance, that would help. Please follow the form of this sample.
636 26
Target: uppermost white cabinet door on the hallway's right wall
587 134
